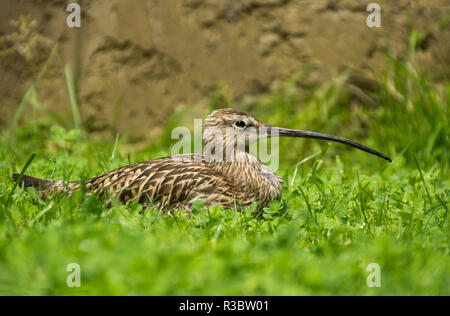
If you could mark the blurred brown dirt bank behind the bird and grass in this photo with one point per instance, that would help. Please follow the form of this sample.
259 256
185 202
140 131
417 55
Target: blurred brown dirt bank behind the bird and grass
135 62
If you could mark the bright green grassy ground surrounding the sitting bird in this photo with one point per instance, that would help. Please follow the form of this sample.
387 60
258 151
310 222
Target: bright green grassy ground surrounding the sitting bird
340 210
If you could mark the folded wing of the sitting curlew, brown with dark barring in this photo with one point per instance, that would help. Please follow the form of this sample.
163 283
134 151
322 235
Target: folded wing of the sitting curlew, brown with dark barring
165 181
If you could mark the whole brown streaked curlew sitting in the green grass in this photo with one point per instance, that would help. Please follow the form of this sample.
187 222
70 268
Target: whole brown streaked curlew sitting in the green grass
232 178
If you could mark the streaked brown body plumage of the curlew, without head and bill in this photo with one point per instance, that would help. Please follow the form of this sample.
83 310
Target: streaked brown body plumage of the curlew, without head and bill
177 182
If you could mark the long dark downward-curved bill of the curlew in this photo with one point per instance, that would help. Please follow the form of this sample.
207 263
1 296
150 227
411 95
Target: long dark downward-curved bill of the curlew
273 131
